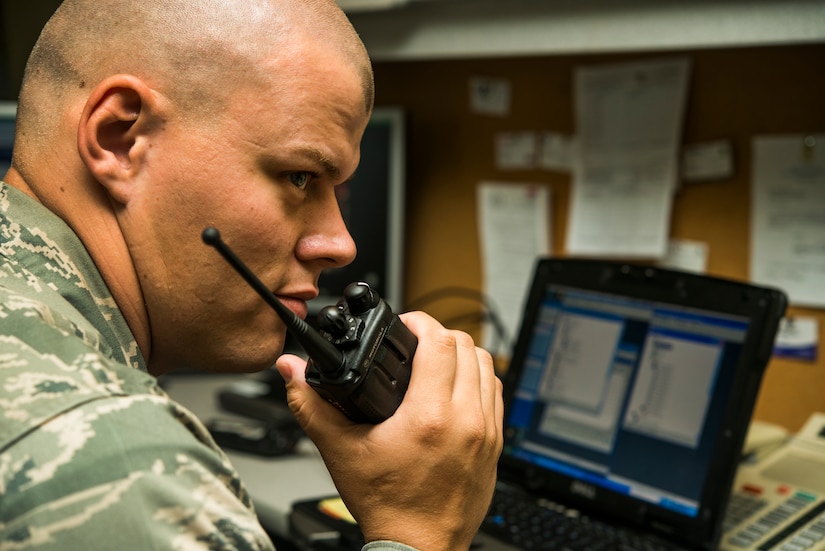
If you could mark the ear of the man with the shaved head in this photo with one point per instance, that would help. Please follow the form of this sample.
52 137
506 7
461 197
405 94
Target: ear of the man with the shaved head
114 132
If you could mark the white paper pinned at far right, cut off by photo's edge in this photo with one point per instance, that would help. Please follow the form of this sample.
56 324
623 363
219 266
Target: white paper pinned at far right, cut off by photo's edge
788 216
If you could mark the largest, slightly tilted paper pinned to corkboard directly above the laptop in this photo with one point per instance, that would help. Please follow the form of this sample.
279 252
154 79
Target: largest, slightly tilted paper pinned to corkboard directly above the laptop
629 120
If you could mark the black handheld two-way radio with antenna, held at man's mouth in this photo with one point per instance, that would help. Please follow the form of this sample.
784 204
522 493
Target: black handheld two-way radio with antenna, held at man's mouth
360 361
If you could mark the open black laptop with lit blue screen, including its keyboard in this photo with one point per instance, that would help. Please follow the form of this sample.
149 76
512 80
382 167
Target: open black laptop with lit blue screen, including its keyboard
628 398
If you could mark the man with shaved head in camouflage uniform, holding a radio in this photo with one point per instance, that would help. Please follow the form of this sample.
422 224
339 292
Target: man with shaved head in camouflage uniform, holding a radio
141 122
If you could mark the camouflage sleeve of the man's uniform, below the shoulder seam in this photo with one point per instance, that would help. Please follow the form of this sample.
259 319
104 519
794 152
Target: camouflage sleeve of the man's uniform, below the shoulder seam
123 473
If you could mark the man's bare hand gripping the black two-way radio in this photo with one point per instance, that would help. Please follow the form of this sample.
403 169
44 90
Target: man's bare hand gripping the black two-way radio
425 476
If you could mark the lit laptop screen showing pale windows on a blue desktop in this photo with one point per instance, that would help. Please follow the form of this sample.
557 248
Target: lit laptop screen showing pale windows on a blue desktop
624 394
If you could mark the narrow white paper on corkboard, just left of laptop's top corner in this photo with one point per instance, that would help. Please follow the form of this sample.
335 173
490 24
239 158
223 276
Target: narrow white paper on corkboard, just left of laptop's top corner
514 230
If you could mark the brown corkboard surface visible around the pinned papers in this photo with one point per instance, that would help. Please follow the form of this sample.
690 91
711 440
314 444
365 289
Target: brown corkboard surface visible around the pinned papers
734 94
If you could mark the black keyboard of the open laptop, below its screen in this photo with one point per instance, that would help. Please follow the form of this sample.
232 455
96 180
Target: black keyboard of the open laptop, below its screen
535 524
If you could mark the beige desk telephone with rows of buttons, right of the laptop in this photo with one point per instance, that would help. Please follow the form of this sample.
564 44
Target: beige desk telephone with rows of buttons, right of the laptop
778 500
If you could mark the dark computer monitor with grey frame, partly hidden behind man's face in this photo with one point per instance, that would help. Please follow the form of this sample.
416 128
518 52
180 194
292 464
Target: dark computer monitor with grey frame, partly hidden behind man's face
372 205
